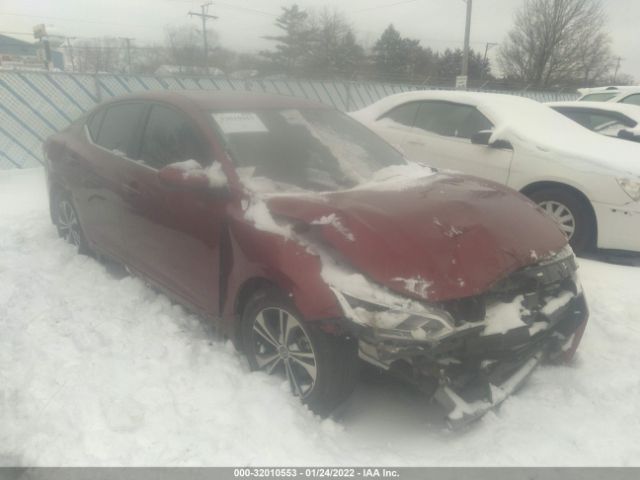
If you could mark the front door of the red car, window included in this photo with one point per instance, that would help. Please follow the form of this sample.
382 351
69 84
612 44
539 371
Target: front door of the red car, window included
173 236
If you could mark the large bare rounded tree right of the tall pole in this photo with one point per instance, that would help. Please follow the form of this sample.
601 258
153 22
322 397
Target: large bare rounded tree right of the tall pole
557 42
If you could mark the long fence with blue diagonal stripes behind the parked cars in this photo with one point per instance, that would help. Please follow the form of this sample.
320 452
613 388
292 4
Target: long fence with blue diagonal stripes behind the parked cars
33 105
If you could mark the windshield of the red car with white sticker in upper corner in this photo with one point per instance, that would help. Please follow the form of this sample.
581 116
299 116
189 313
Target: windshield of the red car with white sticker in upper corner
311 149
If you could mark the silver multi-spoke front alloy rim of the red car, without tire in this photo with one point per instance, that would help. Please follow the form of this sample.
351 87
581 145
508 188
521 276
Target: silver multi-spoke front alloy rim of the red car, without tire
281 346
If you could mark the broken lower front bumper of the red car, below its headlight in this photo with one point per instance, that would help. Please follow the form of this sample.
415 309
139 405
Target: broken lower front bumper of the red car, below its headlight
470 373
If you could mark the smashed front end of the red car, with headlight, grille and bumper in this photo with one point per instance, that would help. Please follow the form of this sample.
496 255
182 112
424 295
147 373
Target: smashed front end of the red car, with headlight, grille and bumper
493 341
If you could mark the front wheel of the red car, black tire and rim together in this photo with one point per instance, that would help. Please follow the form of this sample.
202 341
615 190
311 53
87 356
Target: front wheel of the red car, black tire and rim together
321 369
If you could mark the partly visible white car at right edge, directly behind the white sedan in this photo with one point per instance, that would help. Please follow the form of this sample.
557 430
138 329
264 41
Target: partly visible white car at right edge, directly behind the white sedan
611 119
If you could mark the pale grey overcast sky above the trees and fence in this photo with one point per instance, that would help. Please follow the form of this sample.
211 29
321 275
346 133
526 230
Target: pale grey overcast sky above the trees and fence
242 23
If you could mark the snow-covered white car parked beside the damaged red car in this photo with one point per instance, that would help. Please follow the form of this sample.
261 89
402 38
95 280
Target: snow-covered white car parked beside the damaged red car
588 182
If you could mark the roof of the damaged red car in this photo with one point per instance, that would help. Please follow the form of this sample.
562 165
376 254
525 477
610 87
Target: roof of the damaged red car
222 100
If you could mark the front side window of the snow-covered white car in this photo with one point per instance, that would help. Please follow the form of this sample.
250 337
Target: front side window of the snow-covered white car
451 119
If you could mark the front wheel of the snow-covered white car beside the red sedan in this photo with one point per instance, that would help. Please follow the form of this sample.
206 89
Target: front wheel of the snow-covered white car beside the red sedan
570 213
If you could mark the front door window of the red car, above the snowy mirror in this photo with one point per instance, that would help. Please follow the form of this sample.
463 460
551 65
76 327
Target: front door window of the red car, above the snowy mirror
169 137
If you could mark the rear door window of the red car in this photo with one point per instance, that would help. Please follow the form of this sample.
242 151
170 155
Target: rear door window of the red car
120 126
